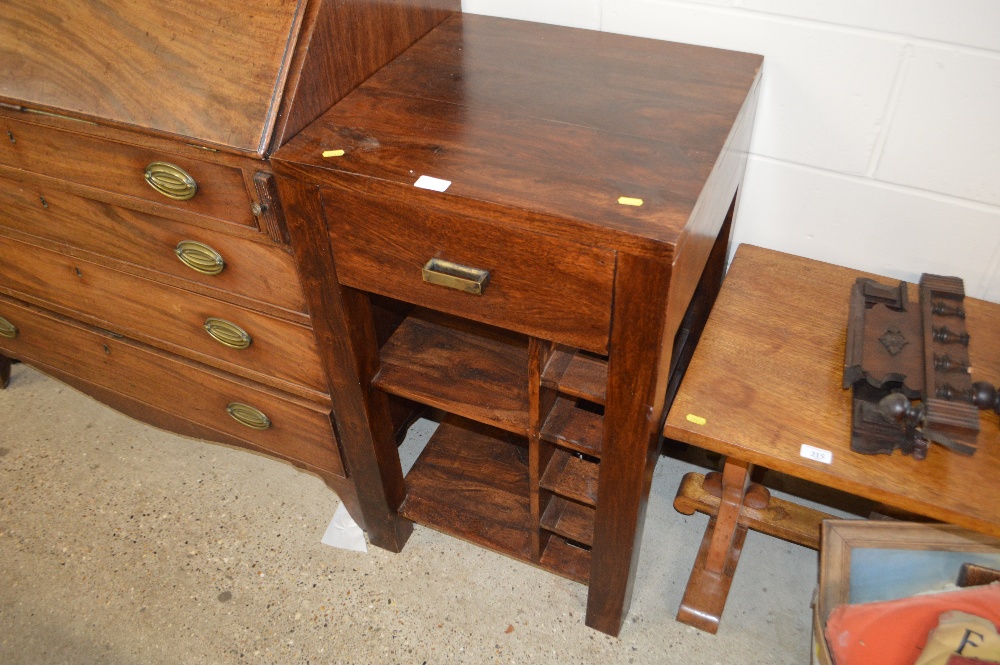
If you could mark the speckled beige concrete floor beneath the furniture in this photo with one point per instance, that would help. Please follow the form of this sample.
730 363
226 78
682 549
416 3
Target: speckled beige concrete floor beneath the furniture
124 544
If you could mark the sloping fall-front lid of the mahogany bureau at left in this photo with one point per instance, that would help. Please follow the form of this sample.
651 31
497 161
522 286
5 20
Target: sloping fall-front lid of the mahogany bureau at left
212 67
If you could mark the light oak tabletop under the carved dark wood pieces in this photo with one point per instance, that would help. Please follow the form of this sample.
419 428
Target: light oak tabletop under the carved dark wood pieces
766 378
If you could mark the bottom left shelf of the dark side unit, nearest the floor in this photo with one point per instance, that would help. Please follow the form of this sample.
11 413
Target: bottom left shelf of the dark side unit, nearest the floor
471 482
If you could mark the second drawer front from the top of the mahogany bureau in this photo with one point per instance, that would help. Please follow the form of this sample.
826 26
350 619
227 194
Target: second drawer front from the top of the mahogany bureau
263 272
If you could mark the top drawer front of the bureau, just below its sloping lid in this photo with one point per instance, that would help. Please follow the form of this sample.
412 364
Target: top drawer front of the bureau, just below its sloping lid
121 168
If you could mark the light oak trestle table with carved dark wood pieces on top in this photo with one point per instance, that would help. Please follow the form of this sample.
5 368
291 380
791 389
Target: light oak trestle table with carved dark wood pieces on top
766 379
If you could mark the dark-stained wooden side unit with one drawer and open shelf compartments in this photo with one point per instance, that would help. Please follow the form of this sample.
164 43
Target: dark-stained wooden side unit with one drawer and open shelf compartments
549 282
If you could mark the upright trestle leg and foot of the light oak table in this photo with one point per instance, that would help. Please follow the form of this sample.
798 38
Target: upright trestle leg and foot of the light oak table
712 575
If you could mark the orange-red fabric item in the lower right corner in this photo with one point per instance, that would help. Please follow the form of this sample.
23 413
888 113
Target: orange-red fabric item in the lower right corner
893 632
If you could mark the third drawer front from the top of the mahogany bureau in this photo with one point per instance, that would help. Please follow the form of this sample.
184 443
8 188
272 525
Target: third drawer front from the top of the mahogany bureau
279 353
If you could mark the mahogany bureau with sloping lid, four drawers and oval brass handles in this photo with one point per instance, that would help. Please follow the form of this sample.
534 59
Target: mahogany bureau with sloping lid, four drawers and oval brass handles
143 252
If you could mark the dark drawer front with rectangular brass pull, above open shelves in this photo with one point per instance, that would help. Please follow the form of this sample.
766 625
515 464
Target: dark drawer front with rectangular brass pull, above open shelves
536 284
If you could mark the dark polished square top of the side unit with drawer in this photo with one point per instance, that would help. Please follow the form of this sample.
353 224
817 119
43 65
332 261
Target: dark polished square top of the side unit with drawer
554 121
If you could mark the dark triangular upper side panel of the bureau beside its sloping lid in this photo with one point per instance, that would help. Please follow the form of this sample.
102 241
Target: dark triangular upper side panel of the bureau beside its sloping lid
347 43
